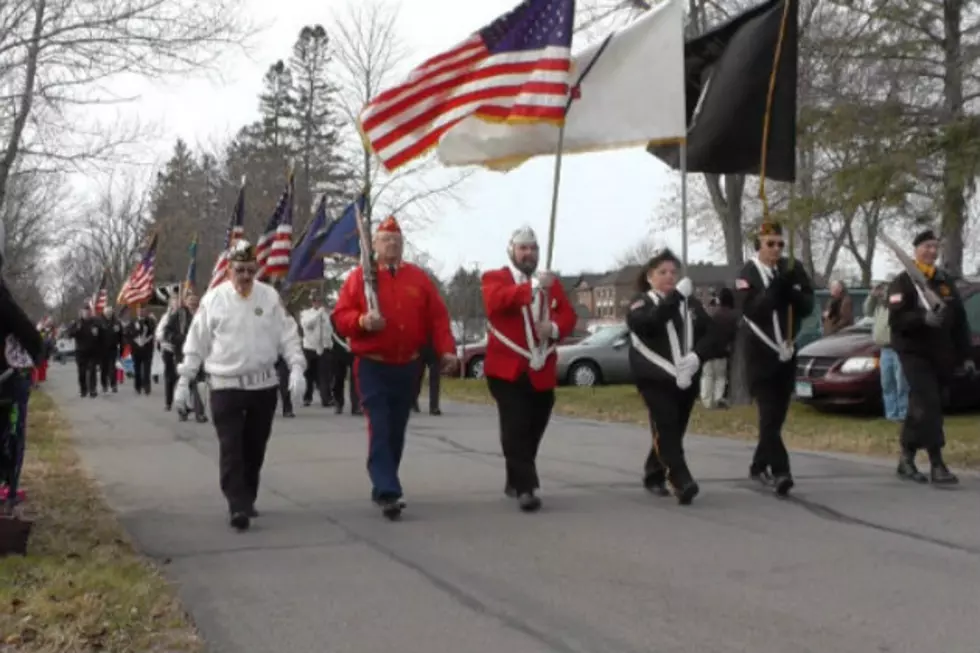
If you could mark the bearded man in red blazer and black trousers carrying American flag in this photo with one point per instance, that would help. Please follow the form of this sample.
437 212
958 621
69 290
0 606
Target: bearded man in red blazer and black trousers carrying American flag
528 315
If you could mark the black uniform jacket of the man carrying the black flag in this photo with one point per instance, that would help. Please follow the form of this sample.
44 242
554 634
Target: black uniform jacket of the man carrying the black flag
789 287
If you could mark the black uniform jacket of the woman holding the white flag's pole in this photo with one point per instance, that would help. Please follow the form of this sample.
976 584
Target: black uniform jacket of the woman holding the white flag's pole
648 322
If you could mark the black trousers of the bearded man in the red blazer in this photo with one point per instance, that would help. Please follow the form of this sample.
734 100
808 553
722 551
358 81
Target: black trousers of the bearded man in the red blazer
524 414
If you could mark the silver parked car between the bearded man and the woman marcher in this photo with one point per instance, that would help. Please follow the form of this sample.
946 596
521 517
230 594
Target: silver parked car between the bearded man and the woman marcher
602 358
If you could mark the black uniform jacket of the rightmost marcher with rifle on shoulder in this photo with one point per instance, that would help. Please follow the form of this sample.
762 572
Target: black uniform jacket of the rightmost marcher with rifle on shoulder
947 346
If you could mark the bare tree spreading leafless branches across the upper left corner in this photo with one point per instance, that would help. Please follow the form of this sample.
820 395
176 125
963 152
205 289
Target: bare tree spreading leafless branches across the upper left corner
58 56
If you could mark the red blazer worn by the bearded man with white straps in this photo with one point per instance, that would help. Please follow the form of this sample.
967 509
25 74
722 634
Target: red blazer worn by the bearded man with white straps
503 300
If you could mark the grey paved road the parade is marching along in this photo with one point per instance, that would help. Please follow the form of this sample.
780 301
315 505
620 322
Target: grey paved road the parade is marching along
856 563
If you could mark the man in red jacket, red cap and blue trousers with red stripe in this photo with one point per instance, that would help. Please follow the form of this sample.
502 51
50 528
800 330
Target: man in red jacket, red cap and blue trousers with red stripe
385 345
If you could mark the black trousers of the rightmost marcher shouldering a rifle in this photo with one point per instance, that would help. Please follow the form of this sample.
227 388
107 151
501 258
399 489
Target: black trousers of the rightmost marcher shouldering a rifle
923 426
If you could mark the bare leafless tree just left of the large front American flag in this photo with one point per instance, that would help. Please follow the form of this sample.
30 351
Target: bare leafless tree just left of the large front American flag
369 56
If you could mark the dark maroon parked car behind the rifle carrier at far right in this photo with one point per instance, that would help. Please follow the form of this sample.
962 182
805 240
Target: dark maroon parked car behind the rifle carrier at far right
841 370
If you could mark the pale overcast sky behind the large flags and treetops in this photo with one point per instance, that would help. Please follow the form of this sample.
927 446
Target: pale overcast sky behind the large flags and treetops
606 203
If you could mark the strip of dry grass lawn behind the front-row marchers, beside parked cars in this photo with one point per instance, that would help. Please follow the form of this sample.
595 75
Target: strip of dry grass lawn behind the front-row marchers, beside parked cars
806 428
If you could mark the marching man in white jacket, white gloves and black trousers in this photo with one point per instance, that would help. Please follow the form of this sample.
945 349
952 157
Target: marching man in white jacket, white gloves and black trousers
241 328
